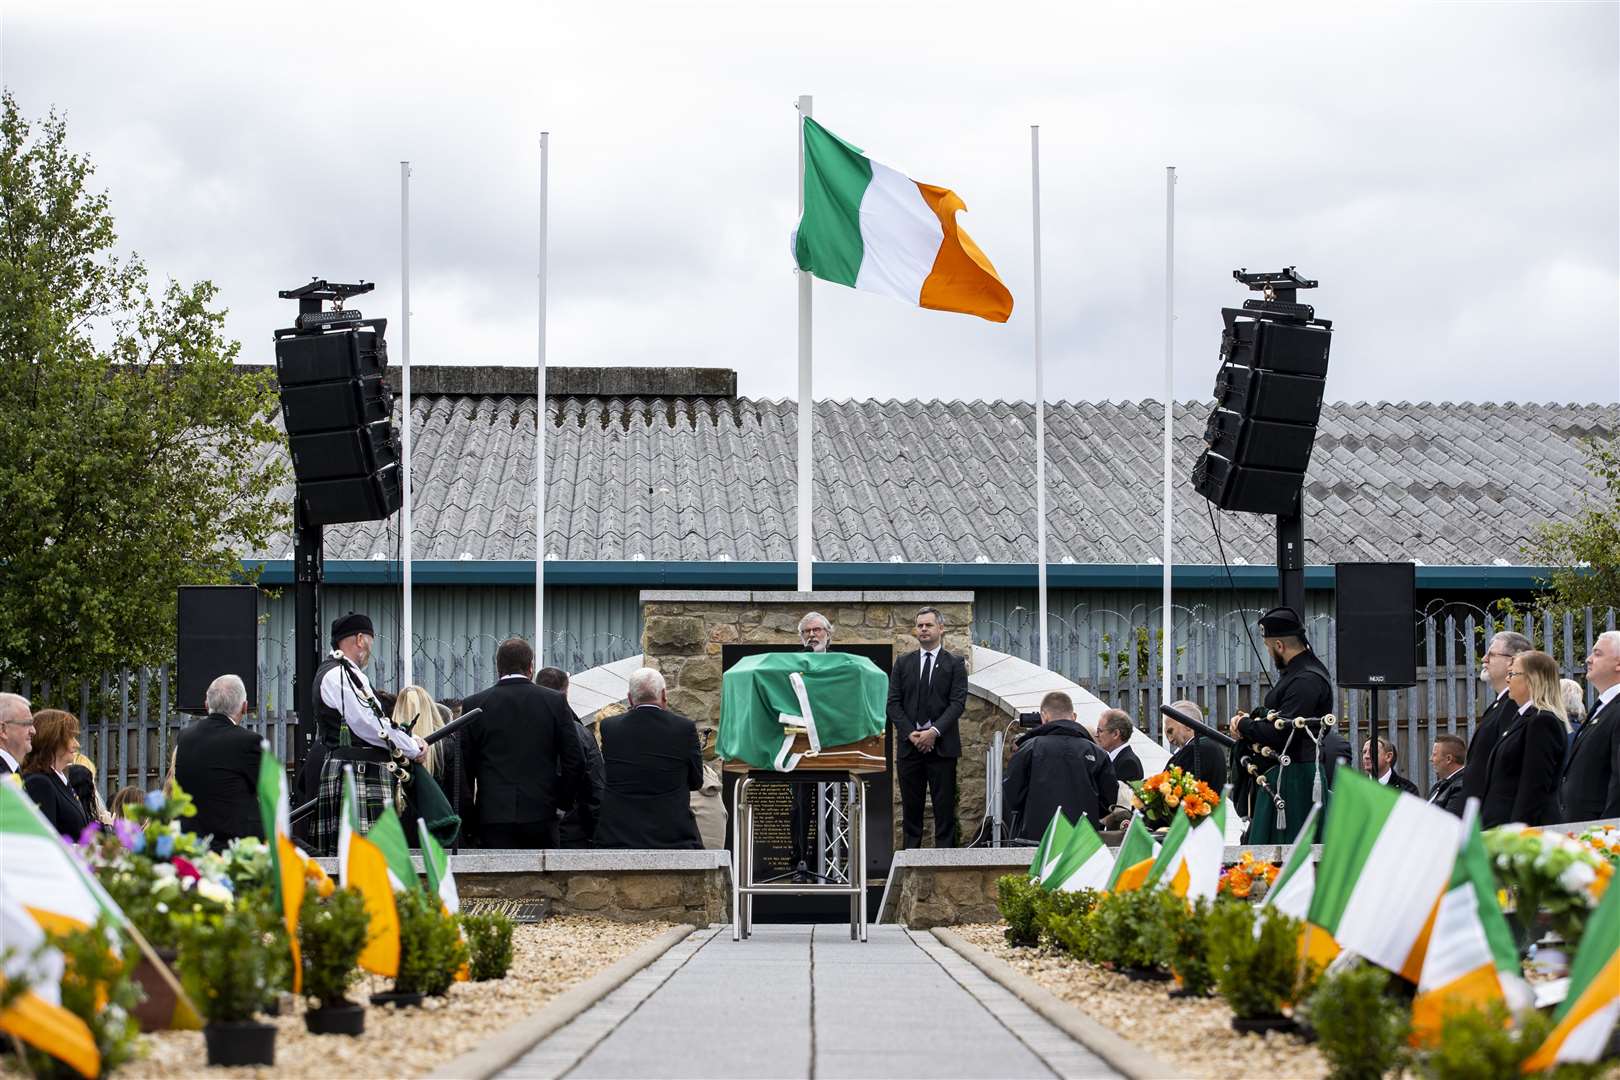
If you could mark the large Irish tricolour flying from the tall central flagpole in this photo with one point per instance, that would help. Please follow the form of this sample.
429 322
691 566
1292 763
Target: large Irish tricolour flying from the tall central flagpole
874 229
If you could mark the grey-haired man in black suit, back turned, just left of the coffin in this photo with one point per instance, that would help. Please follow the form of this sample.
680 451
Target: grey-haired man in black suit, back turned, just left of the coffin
654 762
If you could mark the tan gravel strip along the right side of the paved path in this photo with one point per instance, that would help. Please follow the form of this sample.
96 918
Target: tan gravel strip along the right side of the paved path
1190 1034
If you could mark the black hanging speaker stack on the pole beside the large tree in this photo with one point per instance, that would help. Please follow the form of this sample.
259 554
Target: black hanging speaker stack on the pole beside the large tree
338 414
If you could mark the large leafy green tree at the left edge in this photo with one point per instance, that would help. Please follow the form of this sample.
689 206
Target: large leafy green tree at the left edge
134 456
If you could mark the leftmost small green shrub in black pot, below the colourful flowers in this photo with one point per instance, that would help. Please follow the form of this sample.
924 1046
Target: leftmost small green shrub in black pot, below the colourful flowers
224 969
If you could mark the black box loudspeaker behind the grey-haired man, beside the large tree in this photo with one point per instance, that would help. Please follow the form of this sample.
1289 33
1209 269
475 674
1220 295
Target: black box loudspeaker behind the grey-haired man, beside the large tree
220 636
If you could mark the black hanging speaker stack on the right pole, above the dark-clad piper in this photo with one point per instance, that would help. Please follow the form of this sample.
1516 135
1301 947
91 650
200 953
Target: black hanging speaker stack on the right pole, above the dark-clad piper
1268 406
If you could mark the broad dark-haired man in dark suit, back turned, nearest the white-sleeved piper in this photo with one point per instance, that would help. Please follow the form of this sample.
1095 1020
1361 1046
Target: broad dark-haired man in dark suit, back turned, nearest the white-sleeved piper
522 755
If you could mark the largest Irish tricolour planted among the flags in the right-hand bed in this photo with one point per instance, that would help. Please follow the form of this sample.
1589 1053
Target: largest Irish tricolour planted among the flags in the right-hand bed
1386 861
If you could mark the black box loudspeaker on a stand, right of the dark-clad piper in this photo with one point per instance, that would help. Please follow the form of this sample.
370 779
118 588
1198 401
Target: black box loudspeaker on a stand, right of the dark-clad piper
1376 631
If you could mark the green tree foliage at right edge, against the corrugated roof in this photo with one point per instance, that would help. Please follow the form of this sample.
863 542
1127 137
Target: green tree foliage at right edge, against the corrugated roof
1587 550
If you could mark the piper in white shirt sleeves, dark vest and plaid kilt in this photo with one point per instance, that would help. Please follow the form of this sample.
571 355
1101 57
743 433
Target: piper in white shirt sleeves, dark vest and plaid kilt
352 729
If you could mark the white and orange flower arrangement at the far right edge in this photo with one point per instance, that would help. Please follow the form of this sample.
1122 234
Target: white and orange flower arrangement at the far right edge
1550 877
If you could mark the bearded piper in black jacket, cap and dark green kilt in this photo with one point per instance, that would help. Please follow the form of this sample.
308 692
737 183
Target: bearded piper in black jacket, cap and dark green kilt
1303 689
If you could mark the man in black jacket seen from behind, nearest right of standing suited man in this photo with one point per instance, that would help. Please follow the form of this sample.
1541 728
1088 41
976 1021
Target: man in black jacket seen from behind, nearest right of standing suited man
1059 765
